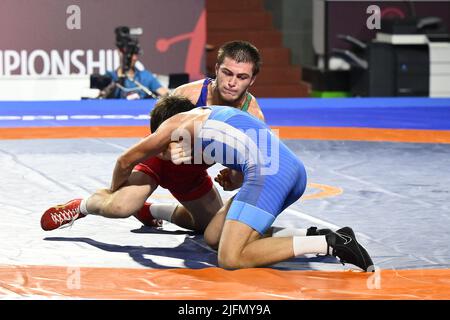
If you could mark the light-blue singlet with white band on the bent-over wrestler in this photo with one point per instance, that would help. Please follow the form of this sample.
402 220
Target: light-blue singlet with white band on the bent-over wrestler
274 177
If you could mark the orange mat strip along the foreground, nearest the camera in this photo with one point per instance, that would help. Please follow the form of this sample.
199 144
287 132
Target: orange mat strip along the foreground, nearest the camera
216 283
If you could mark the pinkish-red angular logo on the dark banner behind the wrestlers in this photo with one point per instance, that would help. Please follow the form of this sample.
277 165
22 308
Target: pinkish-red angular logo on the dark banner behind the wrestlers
196 47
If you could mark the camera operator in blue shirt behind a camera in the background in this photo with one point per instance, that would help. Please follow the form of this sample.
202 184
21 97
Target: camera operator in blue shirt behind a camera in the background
129 82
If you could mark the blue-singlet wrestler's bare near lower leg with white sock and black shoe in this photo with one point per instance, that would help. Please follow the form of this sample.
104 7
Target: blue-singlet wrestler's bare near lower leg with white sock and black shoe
241 246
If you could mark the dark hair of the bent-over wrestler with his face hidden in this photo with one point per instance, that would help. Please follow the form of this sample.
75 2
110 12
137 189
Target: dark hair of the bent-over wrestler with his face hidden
167 107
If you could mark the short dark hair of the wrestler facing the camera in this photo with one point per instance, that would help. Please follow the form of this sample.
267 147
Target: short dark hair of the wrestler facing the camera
240 51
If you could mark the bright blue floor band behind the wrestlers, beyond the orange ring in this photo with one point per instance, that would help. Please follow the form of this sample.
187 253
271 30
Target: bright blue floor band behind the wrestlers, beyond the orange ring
400 113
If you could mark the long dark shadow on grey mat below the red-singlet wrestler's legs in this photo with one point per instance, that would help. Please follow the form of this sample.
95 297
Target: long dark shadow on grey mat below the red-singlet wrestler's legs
194 254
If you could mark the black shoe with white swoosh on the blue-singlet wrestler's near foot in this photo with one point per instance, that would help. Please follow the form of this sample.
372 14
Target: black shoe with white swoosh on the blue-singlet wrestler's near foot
348 250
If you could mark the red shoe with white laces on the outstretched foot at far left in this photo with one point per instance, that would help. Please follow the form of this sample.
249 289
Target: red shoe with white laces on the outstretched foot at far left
61 216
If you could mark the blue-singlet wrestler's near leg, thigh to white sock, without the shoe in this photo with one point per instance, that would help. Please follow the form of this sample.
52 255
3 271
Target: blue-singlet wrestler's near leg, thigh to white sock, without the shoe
242 243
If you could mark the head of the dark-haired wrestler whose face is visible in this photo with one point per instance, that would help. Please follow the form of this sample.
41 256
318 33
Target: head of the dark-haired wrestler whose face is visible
238 63
